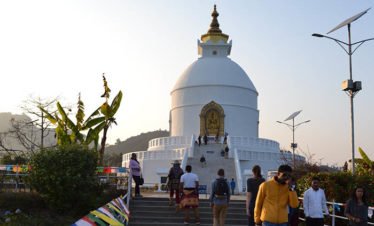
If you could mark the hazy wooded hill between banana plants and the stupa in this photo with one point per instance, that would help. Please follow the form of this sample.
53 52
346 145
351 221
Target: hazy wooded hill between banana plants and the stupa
135 143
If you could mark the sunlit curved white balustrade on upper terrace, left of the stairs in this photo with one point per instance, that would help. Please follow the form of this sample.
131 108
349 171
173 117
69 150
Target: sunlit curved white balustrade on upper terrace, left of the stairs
163 143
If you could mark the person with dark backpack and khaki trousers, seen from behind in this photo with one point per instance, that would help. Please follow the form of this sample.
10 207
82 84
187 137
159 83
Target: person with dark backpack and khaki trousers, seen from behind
220 198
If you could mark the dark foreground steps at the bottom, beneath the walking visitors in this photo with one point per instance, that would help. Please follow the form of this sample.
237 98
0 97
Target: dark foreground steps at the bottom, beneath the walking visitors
156 212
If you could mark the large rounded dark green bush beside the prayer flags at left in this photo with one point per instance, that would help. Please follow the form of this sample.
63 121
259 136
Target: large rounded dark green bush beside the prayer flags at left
65 177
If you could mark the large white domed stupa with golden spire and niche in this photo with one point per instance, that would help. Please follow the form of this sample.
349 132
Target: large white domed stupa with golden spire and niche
215 97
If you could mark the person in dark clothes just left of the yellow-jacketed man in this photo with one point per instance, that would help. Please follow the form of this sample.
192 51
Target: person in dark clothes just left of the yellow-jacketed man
252 188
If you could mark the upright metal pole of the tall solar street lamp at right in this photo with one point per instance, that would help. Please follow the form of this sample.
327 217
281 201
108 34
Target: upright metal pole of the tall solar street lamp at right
351 95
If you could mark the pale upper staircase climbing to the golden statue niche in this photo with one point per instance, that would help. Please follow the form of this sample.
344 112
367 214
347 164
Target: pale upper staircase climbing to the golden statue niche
215 161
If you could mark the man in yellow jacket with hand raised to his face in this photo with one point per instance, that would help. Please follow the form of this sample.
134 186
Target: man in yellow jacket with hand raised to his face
273 199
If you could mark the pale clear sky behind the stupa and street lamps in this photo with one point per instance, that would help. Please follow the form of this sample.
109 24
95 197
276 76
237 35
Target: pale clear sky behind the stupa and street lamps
59 49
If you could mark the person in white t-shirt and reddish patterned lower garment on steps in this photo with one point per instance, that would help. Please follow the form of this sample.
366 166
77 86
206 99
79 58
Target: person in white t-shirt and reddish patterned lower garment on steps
189 184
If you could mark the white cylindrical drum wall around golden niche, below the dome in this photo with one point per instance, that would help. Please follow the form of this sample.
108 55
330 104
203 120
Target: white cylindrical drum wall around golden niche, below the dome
239 104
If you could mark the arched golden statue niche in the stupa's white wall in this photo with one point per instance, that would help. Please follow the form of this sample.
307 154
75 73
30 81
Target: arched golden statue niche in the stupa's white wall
212 120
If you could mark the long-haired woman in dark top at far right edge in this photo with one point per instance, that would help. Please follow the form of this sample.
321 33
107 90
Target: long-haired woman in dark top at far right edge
357 208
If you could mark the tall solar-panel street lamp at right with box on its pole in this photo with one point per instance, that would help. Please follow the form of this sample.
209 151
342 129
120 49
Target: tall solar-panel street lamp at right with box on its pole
349 86
